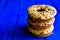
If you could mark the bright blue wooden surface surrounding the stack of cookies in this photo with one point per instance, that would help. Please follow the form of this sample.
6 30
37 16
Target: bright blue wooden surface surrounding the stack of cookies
13 19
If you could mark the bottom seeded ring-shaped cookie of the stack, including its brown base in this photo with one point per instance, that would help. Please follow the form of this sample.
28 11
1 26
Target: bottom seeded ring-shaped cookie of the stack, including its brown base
41 33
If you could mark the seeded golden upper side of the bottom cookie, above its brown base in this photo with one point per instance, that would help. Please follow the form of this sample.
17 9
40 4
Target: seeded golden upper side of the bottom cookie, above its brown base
41 31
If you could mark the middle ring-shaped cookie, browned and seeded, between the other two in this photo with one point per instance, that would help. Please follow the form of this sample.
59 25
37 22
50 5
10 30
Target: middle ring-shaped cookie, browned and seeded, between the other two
41 23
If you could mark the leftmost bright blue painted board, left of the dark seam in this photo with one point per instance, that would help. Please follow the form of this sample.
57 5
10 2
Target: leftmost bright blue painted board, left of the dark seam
9 10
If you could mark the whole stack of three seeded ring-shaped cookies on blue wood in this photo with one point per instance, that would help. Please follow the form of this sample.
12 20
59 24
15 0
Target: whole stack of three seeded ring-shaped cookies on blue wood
41 19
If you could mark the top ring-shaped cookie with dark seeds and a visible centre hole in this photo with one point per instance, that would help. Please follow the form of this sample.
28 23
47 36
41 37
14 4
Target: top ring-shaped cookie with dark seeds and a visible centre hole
41 11
